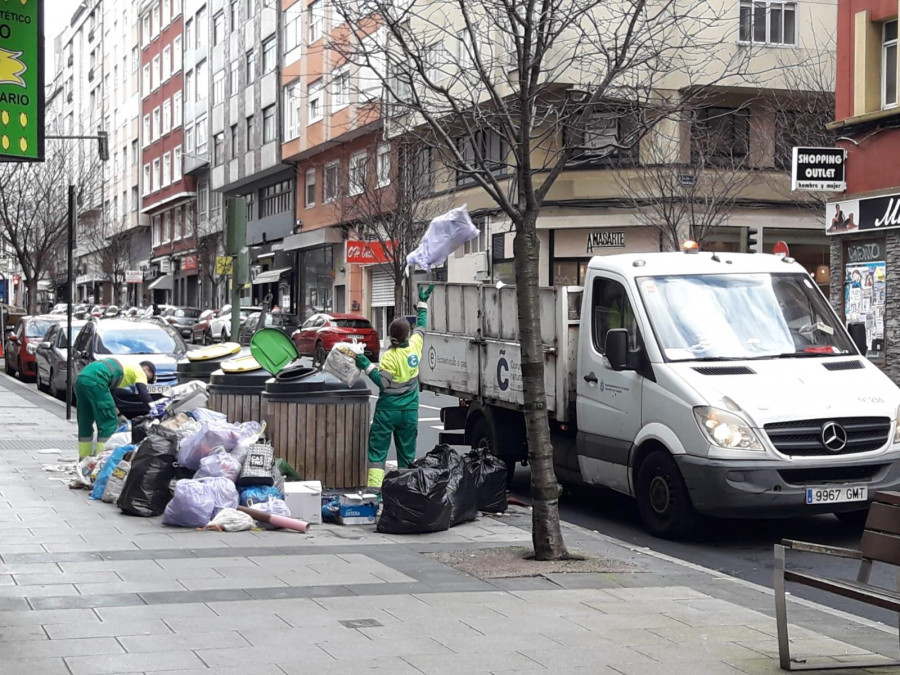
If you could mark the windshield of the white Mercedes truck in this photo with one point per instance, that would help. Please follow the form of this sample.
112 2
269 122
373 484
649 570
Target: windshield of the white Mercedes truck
740 316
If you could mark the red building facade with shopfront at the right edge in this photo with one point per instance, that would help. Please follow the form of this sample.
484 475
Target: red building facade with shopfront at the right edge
862 223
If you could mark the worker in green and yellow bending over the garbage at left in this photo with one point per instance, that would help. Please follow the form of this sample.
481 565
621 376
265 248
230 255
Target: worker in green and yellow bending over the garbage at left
95 403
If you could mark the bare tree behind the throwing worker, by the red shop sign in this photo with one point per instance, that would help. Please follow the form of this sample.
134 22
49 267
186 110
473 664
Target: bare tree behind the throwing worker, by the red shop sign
390 203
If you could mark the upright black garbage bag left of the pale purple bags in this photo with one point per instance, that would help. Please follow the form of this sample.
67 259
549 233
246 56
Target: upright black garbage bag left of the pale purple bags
146 491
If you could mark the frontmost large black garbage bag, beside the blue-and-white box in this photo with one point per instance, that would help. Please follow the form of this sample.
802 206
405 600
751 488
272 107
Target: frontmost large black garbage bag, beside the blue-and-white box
415 501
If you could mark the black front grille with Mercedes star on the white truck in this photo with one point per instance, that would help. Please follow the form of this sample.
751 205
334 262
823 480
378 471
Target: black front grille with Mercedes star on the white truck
805 438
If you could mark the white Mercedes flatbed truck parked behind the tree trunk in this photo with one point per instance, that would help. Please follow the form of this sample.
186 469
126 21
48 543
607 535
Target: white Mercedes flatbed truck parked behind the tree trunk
721 384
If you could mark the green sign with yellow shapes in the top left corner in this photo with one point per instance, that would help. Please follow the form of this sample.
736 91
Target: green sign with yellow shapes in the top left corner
22 80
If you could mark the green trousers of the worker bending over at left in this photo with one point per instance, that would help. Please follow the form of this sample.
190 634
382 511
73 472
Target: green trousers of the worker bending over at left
95 404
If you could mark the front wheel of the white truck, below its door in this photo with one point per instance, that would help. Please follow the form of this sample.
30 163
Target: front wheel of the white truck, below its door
663 499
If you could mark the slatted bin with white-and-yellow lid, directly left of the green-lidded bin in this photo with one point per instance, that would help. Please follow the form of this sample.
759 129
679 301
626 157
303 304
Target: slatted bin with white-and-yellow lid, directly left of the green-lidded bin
236 389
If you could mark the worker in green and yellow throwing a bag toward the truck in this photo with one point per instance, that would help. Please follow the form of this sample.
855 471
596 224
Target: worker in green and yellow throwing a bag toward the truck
397 377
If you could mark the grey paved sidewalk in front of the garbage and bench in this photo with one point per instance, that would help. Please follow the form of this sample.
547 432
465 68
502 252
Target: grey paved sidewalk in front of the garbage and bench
85 589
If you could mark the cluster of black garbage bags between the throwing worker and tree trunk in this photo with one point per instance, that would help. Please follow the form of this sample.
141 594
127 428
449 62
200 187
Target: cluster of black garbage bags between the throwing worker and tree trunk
440 490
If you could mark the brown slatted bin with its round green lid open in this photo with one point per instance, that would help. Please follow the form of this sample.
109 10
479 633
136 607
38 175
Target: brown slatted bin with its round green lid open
318 424
